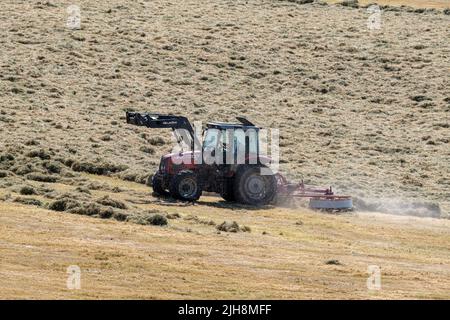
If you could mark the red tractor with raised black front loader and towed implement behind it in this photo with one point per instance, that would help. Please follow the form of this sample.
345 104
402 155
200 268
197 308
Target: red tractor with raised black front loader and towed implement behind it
227 162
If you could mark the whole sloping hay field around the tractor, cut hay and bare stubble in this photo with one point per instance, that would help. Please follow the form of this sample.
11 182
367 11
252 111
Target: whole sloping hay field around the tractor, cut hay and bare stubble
364 111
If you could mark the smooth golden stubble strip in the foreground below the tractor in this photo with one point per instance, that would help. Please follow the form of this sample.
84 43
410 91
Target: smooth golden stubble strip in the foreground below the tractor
284 258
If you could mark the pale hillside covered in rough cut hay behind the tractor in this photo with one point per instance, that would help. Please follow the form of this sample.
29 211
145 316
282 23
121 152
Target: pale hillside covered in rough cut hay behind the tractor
364 111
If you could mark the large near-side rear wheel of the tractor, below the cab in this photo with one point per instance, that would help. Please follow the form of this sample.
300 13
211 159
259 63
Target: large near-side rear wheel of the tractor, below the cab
252 188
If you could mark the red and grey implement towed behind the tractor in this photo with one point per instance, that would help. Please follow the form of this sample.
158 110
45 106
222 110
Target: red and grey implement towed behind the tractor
320 198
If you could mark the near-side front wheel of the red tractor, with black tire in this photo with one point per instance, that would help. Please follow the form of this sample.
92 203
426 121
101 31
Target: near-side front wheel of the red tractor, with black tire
185 186
